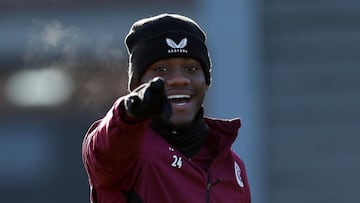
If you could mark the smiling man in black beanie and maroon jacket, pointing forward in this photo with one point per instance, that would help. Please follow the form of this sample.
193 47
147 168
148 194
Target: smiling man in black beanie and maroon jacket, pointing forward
155 145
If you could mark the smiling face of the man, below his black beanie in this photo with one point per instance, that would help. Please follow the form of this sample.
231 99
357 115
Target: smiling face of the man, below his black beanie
185 86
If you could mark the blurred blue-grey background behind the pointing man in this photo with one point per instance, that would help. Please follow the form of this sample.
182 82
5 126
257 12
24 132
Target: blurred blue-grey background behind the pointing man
289 69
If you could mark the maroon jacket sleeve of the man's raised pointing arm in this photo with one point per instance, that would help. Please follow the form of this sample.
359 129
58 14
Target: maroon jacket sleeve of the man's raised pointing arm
111 146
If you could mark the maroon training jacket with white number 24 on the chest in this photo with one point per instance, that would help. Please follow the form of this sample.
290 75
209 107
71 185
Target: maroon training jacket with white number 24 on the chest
127 161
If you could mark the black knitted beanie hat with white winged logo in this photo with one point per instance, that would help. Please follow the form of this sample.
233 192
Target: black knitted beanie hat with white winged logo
165 36
